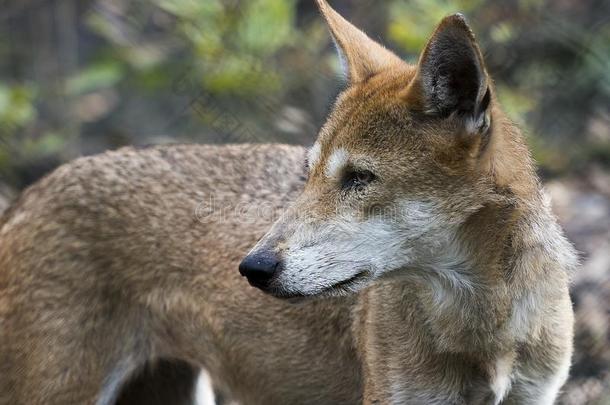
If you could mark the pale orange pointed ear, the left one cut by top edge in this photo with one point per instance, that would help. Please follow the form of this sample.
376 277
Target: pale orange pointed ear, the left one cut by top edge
361 57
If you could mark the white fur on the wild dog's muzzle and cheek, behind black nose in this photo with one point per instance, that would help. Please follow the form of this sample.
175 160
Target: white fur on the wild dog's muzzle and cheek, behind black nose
323 255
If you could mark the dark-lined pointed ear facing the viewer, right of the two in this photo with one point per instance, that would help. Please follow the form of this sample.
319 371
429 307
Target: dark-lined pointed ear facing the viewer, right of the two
451 76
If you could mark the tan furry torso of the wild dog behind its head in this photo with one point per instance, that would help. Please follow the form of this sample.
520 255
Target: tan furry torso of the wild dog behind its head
106 260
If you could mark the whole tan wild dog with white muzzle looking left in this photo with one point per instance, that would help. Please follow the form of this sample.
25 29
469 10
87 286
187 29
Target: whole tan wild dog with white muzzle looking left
414 260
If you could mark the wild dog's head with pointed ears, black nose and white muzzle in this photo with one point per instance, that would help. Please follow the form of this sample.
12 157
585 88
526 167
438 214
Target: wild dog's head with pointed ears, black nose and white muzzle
404 159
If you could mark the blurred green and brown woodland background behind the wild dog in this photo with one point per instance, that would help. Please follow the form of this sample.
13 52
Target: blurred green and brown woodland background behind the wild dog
80 77
